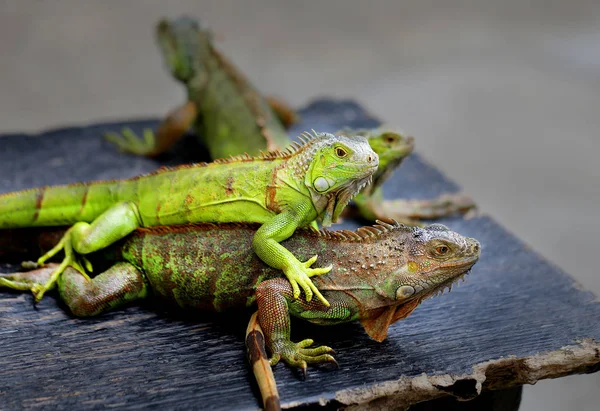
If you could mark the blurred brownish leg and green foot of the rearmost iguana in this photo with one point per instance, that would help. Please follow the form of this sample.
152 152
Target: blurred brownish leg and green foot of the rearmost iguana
168 132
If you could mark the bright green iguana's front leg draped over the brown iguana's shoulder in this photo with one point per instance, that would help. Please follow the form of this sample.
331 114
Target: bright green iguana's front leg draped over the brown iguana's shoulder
266 245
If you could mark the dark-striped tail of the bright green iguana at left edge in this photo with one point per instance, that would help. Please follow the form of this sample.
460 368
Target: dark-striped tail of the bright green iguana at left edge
56 205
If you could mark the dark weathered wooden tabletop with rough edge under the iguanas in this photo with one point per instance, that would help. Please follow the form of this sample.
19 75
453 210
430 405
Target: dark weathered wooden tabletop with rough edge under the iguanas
515 320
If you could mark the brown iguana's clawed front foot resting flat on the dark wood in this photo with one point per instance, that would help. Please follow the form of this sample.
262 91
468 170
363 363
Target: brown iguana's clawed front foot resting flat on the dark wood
298 355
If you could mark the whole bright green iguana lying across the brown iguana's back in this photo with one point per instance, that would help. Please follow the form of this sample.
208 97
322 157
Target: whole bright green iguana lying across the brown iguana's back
281 190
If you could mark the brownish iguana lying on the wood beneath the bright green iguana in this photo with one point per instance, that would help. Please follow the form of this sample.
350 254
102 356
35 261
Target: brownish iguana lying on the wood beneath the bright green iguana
213 267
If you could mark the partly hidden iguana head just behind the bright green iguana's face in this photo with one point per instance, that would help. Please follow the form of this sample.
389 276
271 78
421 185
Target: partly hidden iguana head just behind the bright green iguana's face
391 146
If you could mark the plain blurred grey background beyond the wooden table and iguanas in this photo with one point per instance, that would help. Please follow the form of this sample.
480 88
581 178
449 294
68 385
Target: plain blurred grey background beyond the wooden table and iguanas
502 95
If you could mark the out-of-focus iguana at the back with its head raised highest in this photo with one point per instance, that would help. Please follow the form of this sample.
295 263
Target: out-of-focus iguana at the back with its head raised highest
226 111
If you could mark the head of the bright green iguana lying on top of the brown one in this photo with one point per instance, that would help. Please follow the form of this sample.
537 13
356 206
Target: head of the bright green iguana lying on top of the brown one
337 168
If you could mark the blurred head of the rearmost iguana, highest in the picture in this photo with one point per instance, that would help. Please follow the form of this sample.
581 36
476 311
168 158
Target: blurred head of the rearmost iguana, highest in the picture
184 46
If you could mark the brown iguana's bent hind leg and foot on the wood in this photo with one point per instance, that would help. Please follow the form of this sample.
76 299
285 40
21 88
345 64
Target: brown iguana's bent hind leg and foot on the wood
85 297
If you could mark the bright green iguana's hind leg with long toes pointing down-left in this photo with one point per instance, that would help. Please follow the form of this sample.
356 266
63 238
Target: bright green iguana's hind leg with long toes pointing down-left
83 238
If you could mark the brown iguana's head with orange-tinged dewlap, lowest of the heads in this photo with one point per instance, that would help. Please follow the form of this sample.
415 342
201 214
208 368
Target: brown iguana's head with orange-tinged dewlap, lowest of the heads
426 262
